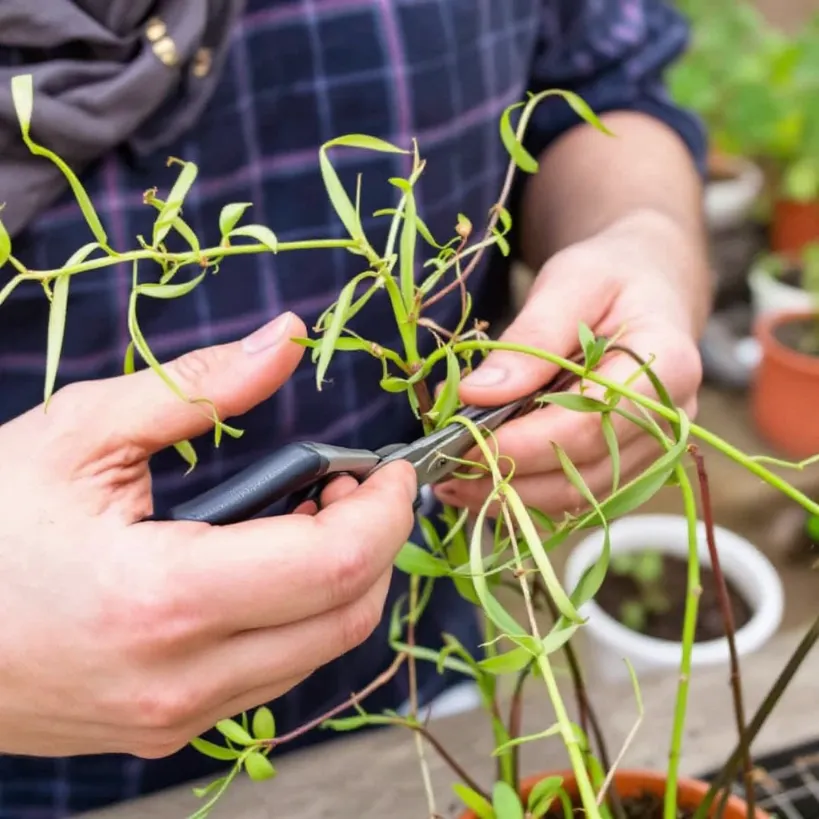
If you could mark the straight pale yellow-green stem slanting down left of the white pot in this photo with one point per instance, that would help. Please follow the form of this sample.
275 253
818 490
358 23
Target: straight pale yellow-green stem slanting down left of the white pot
584 786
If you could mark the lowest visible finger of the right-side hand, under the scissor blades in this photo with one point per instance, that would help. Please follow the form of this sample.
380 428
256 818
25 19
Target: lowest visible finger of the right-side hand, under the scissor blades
552 493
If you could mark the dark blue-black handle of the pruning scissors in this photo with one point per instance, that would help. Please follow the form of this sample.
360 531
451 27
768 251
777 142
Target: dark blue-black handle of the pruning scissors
251 491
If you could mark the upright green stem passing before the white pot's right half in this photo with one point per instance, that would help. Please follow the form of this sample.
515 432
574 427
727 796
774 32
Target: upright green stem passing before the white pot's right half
689 631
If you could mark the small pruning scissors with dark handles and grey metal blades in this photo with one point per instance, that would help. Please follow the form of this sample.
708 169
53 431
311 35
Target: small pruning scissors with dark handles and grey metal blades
299 471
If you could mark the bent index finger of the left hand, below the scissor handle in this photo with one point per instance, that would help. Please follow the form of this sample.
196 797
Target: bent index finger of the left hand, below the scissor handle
272 571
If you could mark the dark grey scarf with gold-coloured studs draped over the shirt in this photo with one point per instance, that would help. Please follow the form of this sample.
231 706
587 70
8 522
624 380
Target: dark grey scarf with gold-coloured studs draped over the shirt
106 73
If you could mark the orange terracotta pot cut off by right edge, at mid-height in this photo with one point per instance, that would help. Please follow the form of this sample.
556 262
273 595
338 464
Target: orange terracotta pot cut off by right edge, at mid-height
785 391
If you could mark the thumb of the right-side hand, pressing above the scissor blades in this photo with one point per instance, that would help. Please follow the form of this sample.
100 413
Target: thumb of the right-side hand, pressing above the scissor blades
560 300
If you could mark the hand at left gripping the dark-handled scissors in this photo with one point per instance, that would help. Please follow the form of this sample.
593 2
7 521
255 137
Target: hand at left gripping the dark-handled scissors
120 635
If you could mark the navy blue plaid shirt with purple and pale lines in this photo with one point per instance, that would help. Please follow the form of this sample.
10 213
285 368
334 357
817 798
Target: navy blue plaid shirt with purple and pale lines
299 73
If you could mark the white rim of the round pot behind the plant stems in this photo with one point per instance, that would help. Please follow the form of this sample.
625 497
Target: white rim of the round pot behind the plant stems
743 565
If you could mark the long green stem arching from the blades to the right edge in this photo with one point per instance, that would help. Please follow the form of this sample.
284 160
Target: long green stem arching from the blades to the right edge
746 461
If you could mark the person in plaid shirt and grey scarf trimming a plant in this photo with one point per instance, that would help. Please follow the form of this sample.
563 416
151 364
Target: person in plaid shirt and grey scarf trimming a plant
122 638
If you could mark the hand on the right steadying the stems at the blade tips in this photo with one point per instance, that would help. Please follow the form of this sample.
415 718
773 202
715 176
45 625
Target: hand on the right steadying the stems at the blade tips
622 280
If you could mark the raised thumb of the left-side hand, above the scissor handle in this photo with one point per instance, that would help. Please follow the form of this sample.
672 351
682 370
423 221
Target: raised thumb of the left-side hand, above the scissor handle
234 378
